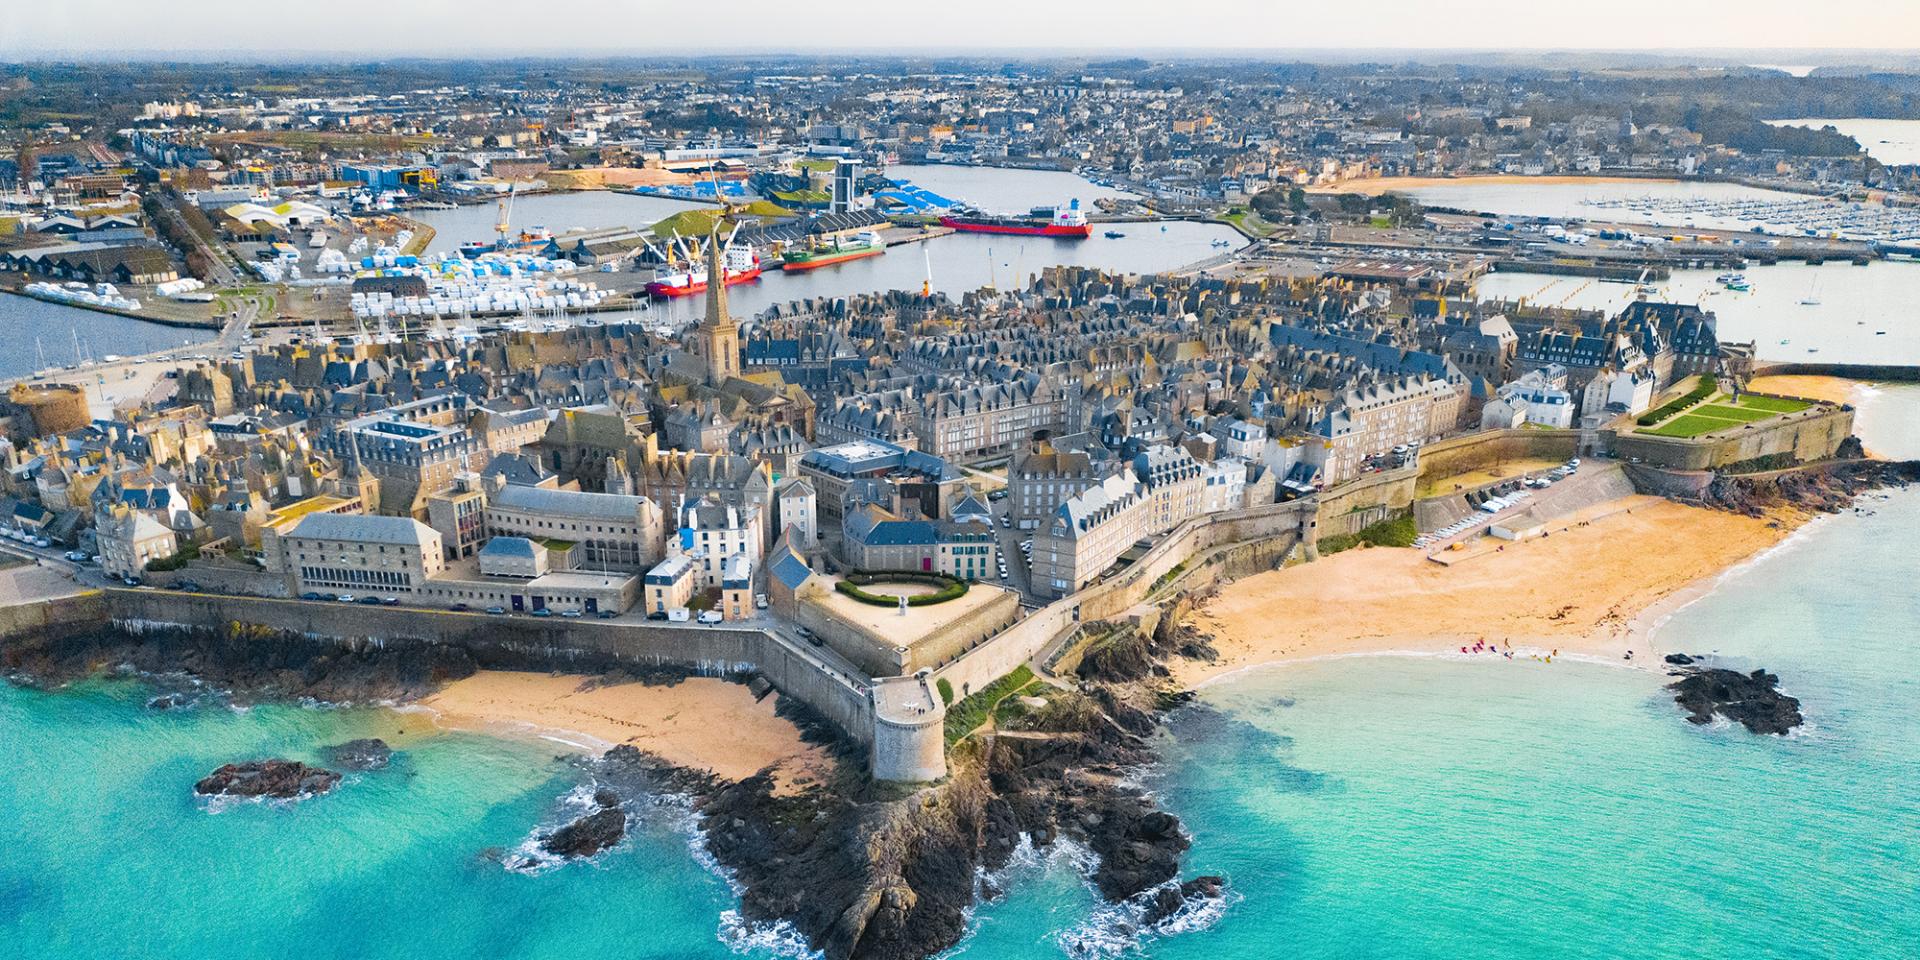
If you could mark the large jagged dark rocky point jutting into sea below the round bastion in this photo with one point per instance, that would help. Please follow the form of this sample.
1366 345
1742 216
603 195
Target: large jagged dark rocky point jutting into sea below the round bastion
892 878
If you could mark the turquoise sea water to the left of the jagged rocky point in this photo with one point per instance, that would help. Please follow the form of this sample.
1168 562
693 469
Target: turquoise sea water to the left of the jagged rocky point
110 855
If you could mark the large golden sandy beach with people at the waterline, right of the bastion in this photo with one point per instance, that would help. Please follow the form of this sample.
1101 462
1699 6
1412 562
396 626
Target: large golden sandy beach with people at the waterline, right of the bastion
1591 588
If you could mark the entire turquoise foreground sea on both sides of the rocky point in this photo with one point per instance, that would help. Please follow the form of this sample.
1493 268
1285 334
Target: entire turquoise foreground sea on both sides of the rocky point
1362 807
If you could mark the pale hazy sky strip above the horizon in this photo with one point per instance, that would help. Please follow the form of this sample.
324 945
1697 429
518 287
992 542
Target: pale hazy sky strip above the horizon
454 28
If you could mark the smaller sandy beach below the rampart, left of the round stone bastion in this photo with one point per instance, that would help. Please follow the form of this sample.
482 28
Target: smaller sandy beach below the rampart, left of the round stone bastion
700 723
